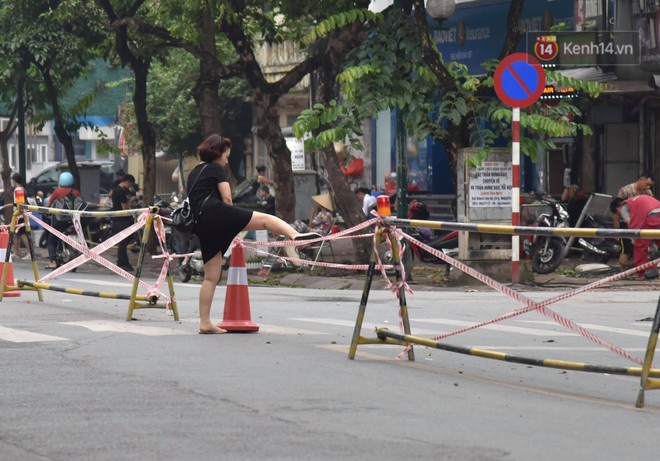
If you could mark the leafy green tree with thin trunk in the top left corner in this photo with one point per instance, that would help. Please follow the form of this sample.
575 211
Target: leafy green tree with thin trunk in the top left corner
51 44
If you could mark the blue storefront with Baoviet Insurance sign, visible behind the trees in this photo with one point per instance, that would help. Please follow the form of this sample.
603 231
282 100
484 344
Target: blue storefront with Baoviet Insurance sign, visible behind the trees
471 37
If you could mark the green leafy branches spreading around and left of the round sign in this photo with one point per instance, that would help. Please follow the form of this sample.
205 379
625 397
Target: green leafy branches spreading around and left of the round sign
389 70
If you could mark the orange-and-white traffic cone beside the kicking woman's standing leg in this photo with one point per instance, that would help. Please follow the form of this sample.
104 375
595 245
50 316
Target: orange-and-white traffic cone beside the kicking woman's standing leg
237 300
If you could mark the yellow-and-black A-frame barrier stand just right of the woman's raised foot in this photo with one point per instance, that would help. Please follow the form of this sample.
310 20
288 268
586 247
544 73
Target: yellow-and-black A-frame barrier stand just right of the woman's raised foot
403 307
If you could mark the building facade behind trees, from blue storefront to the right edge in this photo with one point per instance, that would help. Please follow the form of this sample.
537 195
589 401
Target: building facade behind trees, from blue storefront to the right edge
623 119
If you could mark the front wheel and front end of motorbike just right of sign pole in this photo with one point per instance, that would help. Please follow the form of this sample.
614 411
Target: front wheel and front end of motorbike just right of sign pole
547 252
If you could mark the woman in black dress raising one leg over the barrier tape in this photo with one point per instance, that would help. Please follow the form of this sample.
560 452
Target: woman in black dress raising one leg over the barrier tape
218 222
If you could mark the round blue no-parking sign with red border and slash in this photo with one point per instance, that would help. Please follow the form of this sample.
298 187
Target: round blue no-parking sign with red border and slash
519 80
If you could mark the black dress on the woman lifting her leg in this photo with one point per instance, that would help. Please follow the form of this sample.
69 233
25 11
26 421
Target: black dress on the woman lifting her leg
218 223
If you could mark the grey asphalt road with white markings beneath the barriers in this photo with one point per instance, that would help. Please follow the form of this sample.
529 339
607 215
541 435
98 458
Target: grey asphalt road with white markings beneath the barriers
80 383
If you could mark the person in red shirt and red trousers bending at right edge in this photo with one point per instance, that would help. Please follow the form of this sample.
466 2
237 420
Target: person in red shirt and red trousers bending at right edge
640 212
